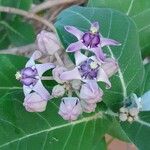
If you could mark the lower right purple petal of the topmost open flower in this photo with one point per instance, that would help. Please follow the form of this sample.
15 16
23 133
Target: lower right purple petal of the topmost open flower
99 53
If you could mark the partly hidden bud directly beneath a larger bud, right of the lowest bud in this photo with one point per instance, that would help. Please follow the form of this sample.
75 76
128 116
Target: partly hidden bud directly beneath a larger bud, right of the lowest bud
88 107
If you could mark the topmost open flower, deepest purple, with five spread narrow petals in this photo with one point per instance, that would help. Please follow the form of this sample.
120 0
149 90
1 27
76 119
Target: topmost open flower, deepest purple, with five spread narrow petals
90 40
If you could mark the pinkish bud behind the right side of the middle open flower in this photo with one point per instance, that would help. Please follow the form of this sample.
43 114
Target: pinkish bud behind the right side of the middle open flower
110 66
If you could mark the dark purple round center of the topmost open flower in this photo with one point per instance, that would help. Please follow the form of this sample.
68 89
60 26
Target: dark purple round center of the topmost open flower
91 39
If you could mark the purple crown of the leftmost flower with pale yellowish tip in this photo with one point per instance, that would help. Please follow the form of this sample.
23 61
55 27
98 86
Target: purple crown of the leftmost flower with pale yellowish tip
28 76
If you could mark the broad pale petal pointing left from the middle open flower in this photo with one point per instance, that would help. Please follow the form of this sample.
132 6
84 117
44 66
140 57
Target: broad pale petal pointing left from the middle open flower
71 75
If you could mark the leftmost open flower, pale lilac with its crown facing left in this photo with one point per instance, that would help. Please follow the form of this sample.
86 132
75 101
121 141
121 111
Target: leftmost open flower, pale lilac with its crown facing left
31 76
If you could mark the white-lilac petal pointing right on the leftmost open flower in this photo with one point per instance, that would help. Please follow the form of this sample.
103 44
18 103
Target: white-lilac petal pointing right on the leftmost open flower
41 68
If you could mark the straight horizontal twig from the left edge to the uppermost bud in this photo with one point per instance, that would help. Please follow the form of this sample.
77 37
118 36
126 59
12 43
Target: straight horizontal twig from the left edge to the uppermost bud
21 49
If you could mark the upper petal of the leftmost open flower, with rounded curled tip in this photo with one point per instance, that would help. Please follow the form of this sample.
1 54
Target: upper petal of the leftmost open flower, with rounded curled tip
31 61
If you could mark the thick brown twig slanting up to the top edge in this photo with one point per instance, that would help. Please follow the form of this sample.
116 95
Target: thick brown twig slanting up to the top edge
49 4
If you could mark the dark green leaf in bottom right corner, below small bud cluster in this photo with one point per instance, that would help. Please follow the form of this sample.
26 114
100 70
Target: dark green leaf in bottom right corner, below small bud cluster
138 131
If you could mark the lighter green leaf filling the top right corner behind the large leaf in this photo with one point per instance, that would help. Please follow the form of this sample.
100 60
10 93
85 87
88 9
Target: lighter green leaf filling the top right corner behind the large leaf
137 10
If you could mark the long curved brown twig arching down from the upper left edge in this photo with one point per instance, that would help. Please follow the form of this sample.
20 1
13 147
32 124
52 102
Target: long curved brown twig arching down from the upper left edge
27 15
